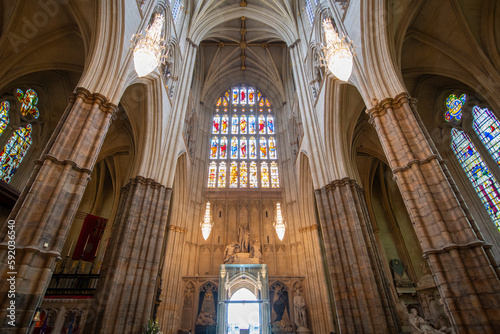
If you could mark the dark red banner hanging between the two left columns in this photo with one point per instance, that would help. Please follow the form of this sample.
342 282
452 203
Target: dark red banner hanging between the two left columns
90 237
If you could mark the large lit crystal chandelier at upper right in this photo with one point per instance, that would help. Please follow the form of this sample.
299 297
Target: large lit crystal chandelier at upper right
338 55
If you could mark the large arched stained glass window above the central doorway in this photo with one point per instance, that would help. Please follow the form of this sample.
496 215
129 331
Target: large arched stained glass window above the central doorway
243 141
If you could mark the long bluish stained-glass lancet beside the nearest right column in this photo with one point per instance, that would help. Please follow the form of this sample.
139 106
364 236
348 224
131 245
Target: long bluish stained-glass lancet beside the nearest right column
484 182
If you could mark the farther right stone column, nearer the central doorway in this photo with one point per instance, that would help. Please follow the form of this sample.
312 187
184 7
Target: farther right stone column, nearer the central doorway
362 298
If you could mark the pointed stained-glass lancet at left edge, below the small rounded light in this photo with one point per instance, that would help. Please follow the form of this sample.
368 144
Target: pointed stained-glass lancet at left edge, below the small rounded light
14 152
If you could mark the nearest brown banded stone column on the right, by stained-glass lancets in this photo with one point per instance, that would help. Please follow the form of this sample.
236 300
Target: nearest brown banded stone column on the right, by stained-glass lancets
463 268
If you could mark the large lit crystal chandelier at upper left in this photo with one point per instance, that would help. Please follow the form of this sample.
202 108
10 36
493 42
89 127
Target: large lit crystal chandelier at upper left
148 49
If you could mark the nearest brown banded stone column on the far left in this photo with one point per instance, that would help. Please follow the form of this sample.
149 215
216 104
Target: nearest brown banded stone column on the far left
47 205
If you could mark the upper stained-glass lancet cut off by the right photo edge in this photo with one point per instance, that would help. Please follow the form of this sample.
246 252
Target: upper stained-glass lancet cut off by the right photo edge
487 128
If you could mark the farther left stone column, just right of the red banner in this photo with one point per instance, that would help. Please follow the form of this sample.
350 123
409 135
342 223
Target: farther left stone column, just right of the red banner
126 289
